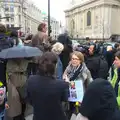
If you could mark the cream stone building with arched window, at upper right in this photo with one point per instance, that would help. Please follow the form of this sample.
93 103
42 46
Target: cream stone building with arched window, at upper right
93 18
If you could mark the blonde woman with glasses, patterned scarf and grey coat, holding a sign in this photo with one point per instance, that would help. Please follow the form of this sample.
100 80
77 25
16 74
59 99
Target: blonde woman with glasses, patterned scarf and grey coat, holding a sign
77 70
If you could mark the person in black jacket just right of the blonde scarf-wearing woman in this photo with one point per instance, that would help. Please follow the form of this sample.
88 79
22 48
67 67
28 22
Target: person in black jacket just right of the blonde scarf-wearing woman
96 63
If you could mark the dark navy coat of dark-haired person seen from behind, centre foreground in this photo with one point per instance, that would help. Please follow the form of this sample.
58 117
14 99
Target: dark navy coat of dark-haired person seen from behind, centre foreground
45 94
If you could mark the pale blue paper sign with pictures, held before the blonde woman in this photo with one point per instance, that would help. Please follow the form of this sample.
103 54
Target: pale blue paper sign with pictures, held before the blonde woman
76 92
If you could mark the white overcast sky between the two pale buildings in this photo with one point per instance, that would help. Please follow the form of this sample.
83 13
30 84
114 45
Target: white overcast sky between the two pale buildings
57 8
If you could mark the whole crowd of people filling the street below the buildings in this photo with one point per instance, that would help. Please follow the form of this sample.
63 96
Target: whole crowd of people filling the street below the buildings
43 82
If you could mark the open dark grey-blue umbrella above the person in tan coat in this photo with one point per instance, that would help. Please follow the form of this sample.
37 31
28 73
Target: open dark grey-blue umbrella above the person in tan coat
20 52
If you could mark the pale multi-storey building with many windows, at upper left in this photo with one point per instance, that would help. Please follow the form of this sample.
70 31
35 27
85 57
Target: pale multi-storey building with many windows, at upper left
25 15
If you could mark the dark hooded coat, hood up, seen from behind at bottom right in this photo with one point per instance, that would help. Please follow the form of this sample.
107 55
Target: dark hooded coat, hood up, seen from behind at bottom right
99 102
